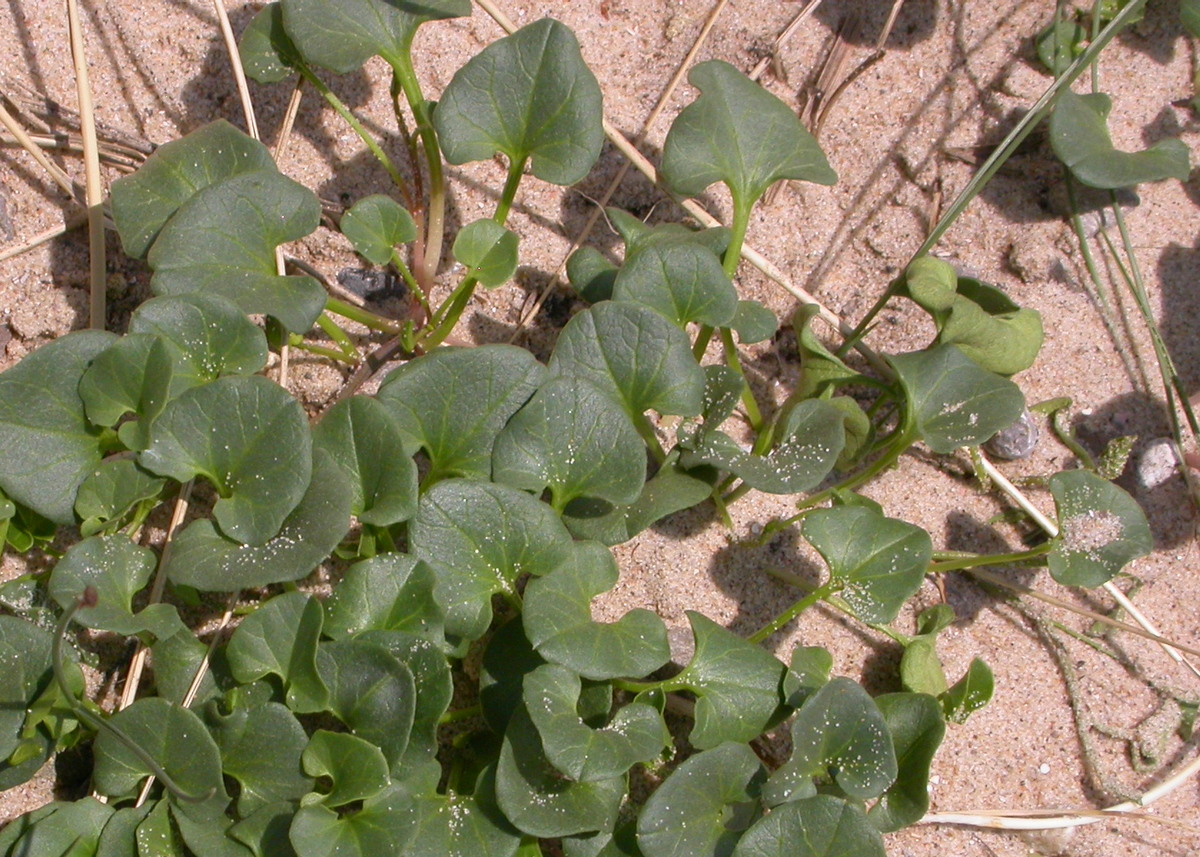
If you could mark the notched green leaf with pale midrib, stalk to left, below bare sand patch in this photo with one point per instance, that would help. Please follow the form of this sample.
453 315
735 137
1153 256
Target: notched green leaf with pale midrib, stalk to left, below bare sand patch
737 686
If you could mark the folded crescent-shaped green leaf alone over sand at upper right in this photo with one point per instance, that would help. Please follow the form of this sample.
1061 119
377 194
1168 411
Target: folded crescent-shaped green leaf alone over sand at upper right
1079 136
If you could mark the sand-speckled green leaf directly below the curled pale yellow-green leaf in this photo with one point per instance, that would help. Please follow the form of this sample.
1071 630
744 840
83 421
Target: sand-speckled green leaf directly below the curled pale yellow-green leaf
952 401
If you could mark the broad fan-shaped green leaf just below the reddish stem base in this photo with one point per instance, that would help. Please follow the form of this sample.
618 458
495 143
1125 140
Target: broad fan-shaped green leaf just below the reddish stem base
455 401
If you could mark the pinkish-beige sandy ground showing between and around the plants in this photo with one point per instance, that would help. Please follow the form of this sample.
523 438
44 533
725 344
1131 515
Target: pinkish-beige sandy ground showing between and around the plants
903 137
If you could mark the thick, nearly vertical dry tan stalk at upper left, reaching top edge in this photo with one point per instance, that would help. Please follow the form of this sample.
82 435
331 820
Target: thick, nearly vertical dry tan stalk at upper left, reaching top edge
94 184
